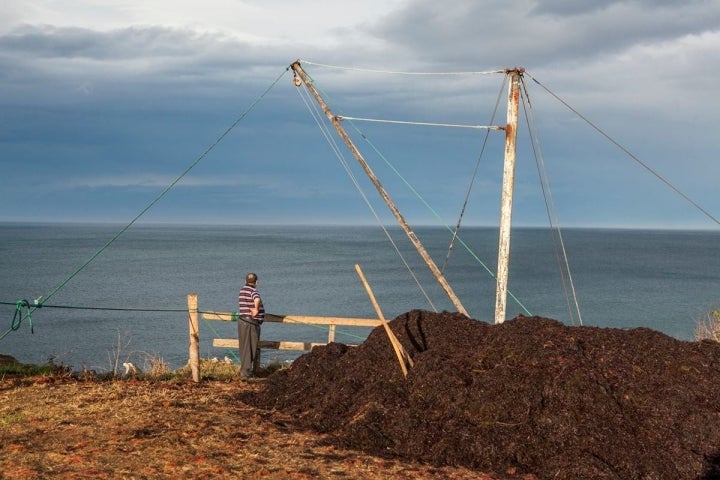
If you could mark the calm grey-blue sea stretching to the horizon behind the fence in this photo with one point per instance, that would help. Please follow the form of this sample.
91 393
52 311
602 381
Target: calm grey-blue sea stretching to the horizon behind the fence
664 280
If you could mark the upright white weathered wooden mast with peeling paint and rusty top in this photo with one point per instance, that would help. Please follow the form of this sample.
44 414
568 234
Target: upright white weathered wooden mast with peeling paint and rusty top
507 193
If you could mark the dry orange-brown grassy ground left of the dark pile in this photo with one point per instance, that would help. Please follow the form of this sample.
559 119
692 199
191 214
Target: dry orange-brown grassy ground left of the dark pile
62 427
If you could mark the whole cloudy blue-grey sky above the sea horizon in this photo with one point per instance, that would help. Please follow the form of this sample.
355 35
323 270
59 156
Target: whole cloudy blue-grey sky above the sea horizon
186 112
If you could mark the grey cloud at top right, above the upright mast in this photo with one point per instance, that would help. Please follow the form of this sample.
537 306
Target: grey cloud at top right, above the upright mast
501 33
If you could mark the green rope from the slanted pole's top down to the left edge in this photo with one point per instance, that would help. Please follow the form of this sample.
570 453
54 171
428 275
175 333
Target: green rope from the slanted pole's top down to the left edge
148 207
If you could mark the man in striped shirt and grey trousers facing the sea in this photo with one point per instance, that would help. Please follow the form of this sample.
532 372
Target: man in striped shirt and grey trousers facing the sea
252 313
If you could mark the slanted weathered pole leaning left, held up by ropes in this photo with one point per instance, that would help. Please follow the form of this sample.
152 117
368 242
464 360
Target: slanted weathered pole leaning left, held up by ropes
301 76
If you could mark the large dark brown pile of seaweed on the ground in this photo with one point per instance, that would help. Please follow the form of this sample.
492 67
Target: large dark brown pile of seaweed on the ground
530 395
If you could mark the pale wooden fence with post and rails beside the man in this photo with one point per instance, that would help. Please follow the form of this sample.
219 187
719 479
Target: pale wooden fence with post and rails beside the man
331 322
